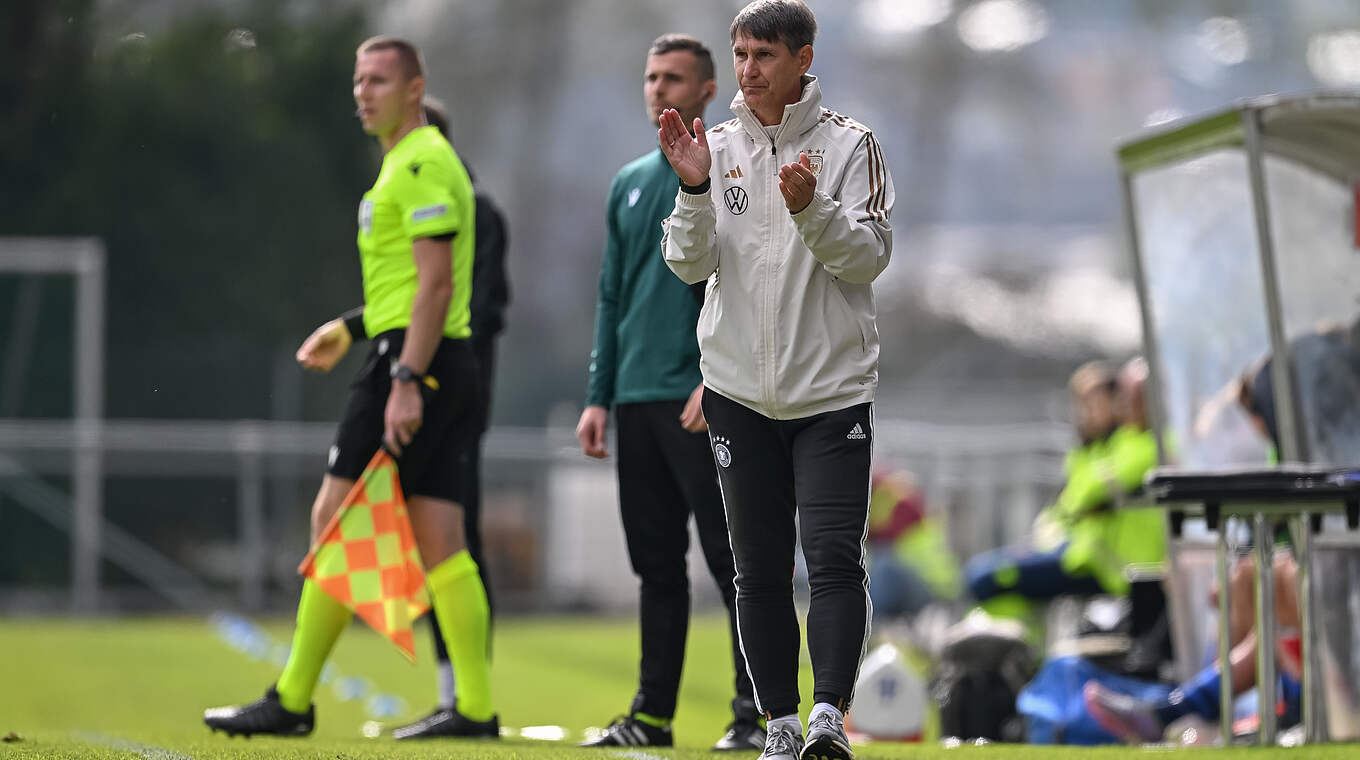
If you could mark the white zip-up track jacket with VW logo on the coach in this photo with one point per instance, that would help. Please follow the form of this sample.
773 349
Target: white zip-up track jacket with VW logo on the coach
788 323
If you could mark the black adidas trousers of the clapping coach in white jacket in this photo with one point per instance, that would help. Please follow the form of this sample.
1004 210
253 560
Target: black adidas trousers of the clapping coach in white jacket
783 479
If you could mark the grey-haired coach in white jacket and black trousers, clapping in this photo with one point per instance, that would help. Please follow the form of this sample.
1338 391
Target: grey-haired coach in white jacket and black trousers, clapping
785 213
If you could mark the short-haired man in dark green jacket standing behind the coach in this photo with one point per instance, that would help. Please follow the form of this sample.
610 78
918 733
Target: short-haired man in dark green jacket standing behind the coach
645 365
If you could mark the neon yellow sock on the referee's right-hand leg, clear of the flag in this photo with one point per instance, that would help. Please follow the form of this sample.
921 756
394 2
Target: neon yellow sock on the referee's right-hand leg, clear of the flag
460 600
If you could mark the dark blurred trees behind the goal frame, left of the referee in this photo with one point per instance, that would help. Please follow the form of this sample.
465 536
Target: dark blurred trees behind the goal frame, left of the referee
218 161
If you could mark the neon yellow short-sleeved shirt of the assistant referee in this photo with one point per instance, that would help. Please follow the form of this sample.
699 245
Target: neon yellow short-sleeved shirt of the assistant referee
422 192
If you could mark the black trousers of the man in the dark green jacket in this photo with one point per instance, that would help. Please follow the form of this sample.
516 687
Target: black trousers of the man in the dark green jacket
666 475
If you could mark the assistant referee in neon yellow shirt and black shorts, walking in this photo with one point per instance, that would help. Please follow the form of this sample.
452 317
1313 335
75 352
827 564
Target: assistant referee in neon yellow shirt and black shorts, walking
414 392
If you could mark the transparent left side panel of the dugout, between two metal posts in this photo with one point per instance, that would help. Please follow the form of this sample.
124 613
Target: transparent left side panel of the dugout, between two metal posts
1207 301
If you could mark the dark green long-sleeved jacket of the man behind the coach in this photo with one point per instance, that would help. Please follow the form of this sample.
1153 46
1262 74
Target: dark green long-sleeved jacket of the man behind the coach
645 346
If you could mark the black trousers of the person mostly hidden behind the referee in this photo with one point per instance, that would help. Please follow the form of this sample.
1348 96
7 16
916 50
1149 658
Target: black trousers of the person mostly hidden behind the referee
470 463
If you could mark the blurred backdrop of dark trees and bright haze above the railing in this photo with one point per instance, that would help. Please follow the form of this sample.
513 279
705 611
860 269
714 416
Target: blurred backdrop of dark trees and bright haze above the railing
211 145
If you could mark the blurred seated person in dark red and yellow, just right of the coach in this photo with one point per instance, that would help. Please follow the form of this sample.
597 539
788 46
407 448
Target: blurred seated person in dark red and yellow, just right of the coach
911 564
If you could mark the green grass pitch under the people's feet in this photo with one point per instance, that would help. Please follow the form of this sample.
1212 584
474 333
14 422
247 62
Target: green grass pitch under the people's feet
137 687
